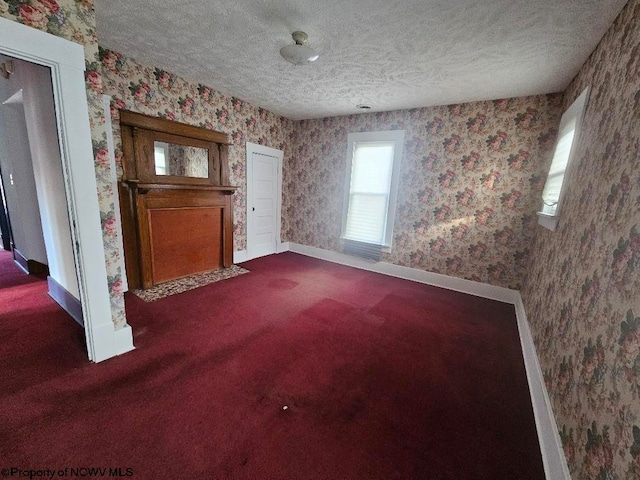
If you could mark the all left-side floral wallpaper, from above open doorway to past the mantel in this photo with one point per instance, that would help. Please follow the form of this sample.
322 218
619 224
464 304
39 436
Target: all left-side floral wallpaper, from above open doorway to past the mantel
150 90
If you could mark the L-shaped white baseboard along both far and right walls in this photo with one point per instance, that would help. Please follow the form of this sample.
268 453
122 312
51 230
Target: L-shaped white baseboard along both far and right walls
553 458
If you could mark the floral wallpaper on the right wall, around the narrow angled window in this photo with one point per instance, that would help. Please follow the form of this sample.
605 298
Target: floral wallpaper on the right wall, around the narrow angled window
582 293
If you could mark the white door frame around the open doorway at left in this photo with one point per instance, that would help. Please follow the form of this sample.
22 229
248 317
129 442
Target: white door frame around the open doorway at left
67 64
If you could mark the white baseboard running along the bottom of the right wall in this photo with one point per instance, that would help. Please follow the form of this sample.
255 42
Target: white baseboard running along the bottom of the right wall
553 458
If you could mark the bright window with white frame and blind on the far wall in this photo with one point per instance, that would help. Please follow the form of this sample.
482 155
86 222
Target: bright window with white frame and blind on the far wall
373 164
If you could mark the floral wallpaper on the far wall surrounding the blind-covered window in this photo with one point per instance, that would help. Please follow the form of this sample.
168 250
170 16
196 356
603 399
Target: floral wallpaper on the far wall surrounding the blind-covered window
471 181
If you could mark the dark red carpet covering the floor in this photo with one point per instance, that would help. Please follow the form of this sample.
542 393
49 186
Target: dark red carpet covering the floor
383 379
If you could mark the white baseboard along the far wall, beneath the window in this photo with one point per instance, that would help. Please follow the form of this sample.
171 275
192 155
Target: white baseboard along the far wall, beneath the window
478 289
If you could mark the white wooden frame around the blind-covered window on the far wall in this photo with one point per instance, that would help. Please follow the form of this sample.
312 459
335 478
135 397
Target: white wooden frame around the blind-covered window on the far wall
396 137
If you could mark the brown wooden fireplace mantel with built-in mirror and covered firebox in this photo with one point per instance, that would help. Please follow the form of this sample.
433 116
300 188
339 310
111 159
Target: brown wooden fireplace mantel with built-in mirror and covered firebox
175 199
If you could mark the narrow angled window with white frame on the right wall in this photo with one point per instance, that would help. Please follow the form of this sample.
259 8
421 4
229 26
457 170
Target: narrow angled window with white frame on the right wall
555 187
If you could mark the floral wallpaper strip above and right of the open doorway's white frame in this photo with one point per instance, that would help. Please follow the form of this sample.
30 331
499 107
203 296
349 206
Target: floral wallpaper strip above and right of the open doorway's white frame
75 20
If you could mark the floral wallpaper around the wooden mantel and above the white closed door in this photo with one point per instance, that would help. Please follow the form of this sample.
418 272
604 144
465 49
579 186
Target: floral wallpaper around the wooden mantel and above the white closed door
153 91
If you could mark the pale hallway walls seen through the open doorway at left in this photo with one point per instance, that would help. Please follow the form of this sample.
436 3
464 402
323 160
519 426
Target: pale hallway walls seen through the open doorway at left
34 197
